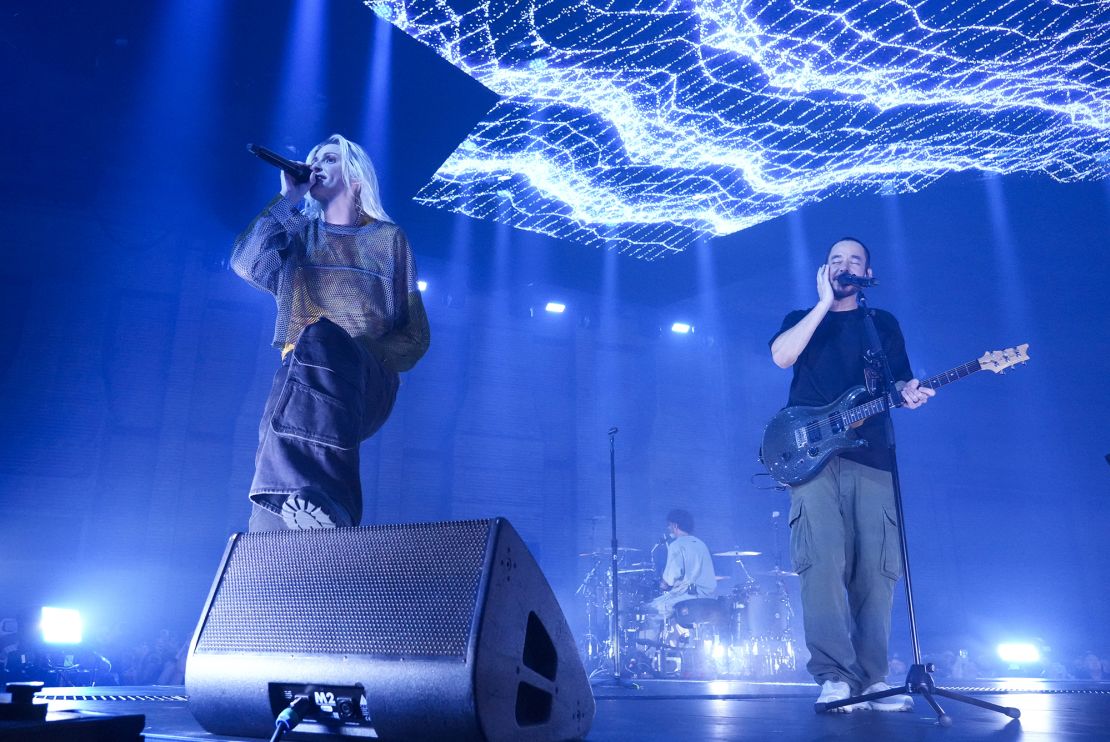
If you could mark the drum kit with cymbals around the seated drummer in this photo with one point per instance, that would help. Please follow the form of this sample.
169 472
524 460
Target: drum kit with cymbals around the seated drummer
745 633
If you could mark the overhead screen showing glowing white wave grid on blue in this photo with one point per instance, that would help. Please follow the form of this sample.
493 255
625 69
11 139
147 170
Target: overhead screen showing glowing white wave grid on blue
643 126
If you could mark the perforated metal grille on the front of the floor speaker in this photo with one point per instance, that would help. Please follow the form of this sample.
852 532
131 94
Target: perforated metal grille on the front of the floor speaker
368 591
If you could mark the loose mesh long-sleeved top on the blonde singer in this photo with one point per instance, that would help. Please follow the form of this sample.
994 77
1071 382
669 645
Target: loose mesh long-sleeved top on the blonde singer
361 278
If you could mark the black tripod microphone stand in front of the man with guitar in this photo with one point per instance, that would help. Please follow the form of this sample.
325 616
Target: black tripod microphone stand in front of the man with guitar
920 678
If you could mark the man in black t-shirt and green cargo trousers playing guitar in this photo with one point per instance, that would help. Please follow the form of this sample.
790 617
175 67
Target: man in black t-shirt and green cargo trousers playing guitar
844 534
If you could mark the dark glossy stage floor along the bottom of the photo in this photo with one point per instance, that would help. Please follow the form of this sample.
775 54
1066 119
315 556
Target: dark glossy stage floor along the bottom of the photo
669 710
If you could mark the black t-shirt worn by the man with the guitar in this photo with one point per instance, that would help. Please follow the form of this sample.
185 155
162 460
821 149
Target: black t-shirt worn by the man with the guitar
833 363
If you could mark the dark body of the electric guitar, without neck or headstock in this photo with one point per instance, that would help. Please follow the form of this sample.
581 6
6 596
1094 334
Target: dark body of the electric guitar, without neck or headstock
800 440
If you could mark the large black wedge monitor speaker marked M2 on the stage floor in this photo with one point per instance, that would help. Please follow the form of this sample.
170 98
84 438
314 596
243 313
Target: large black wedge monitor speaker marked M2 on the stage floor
445 631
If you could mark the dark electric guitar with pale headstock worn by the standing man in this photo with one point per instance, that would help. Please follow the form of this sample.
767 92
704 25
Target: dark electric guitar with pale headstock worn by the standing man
800 440
